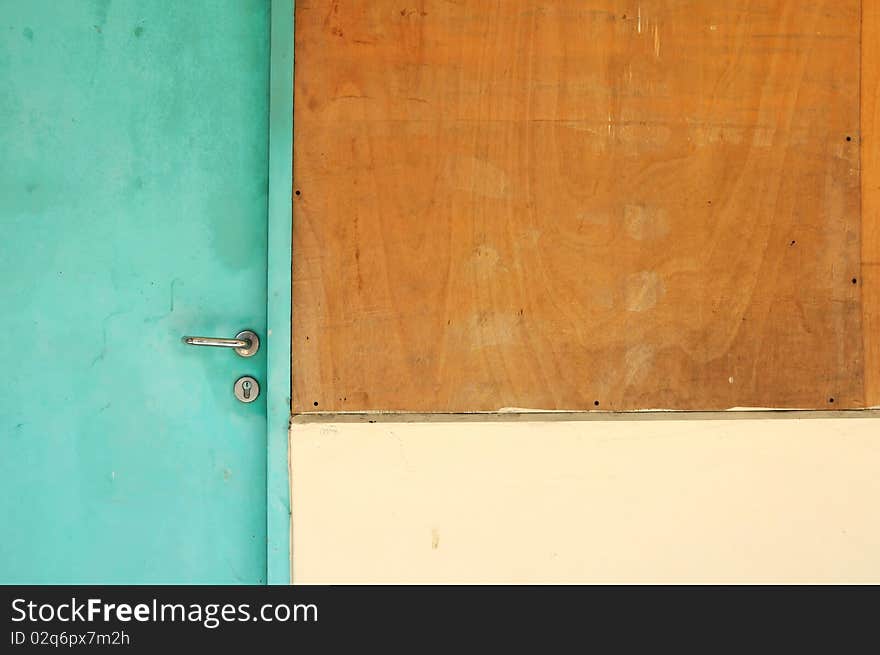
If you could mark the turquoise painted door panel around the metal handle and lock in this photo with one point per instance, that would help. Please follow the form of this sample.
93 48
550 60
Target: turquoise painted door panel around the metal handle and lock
133 196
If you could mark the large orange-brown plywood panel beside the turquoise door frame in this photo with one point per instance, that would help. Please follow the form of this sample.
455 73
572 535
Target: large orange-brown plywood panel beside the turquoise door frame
575 205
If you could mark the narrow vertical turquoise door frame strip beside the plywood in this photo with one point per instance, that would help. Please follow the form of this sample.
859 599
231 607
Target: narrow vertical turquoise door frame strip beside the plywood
279 302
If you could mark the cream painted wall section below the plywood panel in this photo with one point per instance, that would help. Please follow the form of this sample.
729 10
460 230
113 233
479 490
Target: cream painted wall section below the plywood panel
767 500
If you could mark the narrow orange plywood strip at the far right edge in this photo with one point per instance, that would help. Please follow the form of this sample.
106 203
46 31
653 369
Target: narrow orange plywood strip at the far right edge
870 172
